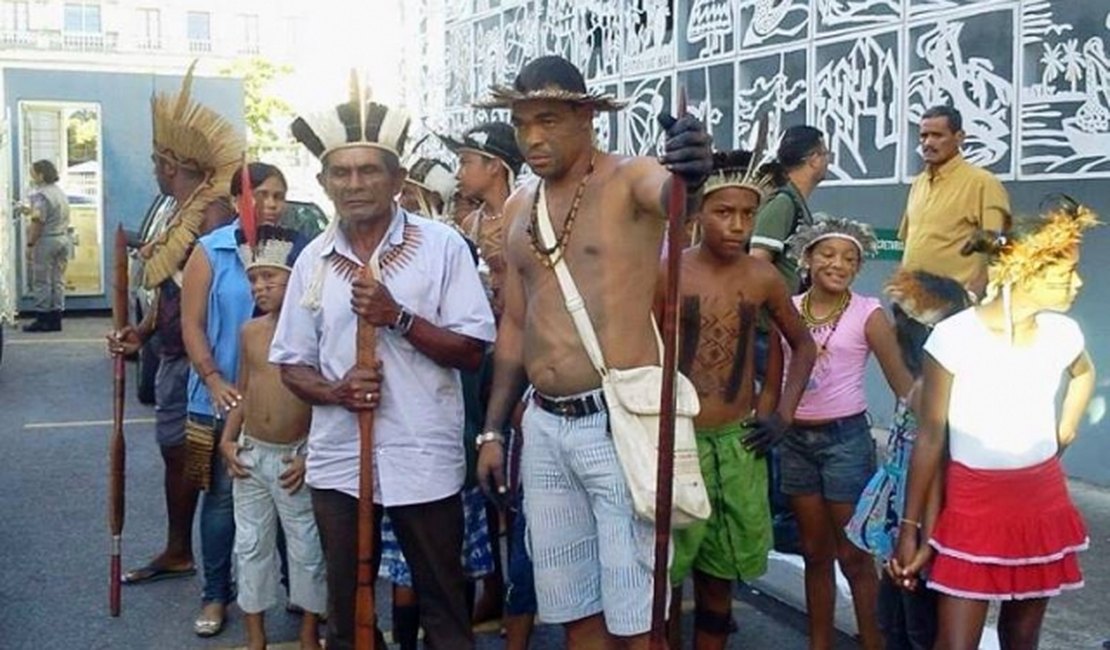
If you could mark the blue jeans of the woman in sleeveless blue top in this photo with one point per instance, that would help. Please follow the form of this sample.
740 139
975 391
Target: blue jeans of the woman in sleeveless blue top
218 526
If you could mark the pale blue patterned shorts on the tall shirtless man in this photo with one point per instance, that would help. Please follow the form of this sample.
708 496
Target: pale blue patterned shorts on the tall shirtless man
590 552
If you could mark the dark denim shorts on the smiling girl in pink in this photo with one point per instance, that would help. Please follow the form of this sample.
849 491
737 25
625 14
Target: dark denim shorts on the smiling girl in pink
835 460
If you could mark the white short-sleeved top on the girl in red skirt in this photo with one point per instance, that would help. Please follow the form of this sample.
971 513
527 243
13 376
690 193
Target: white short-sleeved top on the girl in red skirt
1002 413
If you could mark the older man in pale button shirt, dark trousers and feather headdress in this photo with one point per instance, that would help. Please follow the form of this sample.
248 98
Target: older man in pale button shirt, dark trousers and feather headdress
415 281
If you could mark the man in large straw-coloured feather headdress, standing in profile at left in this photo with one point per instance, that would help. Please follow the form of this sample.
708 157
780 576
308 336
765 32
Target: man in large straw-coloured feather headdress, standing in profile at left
196 155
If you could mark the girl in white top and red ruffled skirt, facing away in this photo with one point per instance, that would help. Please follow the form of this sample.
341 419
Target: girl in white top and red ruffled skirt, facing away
1006 529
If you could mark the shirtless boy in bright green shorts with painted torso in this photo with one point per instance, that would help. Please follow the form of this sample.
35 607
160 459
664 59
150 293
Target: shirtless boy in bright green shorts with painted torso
723 291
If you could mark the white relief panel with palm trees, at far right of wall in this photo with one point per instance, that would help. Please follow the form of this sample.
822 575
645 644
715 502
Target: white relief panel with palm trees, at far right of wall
1066 90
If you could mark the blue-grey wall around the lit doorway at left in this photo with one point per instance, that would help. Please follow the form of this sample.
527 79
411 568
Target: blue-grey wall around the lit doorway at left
126 131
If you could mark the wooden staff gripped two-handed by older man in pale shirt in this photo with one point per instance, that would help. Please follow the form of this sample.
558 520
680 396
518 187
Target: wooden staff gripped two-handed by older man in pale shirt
365 595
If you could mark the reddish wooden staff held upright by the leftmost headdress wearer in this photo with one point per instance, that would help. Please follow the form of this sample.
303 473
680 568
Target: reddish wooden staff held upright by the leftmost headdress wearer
117 450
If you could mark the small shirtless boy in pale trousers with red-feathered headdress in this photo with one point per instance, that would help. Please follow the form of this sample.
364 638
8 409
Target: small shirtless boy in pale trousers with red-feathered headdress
263 444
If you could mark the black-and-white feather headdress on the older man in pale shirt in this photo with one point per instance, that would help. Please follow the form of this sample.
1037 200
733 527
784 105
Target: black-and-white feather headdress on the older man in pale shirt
357 123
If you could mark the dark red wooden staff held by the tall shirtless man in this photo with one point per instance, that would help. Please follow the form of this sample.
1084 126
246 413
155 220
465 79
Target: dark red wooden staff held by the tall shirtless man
664 478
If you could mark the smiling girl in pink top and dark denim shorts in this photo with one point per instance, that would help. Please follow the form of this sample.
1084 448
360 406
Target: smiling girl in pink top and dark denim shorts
829 459
